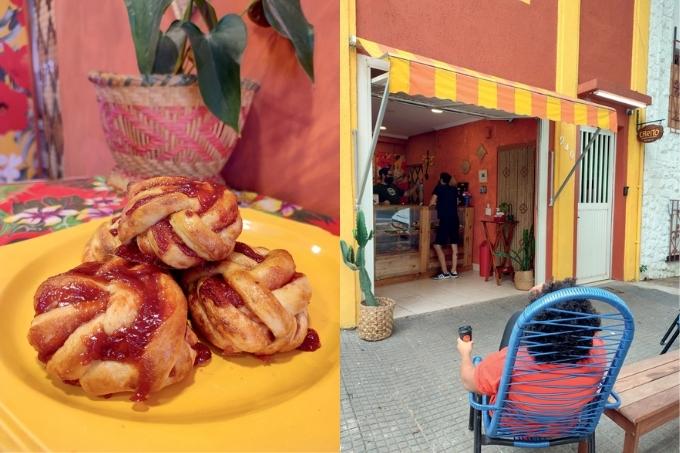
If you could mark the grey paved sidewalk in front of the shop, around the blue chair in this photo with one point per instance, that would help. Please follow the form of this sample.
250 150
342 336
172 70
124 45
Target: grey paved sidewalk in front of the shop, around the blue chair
403 393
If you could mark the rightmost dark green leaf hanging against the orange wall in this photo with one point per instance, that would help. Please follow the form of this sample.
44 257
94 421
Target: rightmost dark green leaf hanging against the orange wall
287 18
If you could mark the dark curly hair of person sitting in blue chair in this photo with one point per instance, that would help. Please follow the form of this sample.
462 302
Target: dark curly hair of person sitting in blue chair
563 346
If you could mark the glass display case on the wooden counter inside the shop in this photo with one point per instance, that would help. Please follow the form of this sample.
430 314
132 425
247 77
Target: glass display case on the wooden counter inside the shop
396 229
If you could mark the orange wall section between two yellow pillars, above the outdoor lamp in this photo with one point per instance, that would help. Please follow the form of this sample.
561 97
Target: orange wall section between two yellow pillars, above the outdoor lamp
606 41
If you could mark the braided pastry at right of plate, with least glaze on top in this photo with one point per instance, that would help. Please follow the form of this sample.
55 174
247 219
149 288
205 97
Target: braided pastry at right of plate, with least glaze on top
253 301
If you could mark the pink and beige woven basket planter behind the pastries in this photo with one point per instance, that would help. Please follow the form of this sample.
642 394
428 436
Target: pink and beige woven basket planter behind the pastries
158 125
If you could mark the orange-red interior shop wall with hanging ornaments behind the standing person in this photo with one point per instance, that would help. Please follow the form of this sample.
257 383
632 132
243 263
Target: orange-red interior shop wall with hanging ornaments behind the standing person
452 146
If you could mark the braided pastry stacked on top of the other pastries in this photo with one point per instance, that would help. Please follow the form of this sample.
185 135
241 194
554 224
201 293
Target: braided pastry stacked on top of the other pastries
180 221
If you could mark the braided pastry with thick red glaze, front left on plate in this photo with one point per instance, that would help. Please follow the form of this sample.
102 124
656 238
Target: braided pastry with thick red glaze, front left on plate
113 327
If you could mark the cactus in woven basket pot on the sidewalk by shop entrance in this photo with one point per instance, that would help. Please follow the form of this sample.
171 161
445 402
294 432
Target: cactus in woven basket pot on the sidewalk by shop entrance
376 314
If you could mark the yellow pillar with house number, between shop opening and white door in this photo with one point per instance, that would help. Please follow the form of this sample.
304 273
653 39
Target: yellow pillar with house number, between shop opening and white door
565 146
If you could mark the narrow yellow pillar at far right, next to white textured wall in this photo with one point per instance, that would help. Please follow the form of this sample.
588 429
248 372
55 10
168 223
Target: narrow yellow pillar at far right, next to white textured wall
636 150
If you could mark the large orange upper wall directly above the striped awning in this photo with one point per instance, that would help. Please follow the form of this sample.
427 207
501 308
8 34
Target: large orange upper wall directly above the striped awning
505 38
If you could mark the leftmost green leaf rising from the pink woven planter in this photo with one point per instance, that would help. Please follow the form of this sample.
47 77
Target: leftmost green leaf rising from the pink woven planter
145 20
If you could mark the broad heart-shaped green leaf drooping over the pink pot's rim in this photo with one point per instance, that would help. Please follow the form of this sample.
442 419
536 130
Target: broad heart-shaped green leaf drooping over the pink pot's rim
218 57
